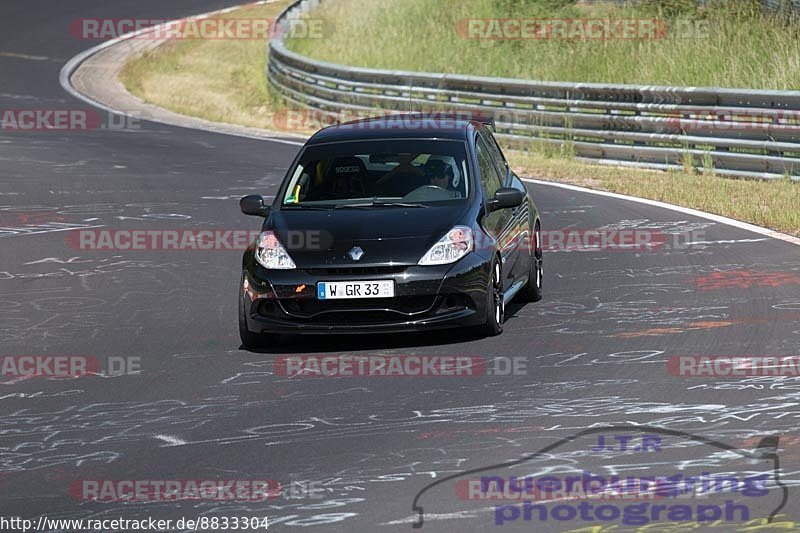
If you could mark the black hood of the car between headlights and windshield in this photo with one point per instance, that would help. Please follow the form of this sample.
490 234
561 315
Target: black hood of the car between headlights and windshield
386 235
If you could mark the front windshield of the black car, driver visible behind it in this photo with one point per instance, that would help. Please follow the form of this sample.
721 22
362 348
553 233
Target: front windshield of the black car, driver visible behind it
379 173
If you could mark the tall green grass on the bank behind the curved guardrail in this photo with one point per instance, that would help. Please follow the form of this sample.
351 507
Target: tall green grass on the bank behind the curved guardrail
742 46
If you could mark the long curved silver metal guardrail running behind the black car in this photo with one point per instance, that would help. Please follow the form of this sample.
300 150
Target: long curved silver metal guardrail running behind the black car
738 132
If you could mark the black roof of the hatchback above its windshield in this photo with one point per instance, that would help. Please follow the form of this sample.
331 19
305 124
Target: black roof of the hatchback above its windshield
399 126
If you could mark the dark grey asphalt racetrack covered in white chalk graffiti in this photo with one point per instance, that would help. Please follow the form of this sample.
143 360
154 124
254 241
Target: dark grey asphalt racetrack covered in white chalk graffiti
595 349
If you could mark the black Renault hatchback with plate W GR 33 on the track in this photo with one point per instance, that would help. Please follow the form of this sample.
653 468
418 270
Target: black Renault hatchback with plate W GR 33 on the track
398 223
